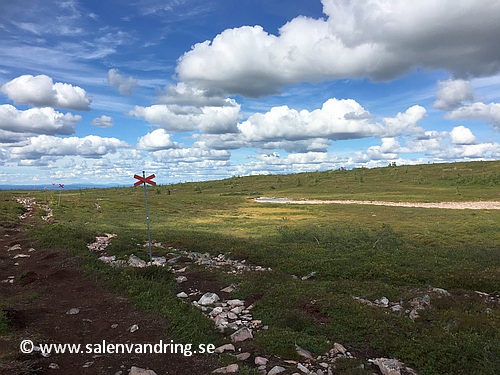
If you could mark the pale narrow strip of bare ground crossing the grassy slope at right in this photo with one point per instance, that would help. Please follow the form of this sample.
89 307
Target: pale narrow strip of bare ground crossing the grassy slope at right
487 205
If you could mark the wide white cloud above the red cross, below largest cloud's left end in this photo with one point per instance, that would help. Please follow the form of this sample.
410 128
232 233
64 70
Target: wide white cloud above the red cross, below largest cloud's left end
176 118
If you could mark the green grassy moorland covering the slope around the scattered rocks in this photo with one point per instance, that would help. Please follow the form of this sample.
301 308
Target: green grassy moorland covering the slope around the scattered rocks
355 250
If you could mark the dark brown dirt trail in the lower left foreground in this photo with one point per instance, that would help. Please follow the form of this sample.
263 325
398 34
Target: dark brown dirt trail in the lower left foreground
45 285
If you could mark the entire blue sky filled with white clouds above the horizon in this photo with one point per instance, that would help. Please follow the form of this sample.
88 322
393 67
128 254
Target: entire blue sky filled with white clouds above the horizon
93 92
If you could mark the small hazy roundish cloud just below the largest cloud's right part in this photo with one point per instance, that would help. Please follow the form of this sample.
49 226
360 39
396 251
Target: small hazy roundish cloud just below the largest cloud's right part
452 94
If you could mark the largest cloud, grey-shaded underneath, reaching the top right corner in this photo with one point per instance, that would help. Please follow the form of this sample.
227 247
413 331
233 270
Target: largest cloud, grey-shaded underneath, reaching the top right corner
379 40
